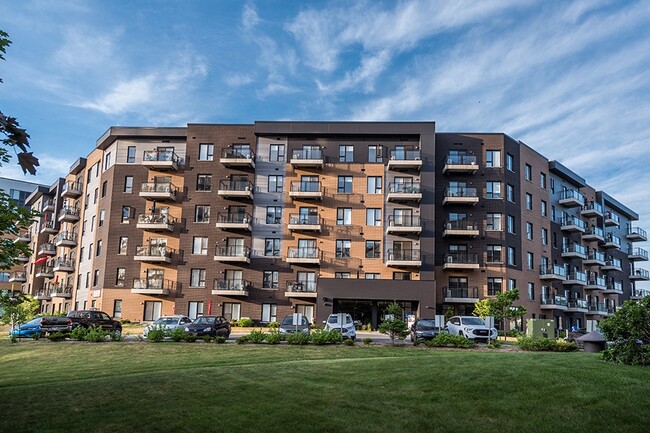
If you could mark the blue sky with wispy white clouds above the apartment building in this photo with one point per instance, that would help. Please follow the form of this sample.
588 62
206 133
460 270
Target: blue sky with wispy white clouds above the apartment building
568 78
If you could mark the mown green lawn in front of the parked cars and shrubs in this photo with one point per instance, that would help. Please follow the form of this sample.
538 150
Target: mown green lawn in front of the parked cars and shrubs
147 387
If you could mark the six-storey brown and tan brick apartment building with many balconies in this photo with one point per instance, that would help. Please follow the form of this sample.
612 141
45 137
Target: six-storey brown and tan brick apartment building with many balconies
271 218
